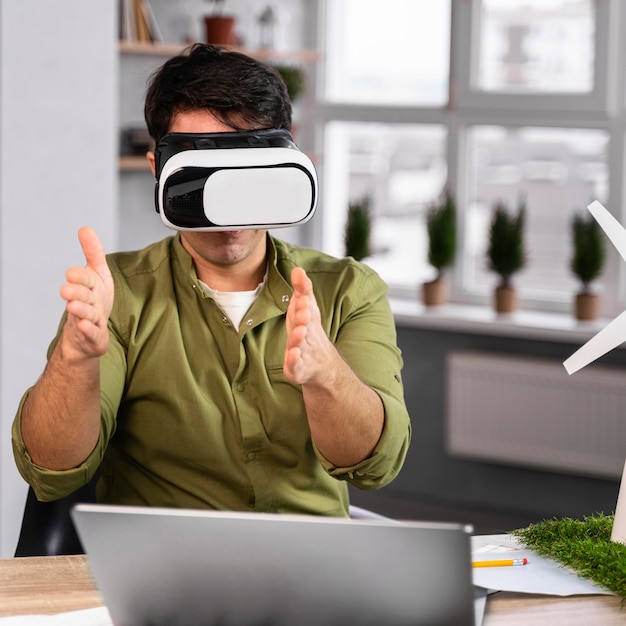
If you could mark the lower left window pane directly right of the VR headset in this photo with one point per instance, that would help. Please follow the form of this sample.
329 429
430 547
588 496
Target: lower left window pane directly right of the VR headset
402 168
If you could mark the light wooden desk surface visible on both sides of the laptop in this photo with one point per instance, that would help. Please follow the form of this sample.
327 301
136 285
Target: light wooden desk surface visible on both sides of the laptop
46 585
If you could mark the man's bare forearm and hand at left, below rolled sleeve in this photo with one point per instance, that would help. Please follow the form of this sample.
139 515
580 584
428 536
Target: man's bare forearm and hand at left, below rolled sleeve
61 416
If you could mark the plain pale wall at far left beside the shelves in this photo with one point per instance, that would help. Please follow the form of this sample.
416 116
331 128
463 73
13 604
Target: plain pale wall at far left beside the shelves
58 147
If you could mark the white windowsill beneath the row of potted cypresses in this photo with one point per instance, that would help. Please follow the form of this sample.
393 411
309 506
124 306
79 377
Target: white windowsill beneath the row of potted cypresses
484 321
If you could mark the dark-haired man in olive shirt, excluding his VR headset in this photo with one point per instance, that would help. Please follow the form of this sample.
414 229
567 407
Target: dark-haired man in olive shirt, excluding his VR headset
226 369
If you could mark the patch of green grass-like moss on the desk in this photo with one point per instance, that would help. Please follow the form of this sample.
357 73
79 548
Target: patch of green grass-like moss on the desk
584 545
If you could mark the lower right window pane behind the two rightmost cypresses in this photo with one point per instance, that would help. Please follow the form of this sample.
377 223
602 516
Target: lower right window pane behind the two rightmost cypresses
559 172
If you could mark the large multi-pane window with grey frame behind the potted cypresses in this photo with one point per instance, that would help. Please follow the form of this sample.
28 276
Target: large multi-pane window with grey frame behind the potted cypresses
519 108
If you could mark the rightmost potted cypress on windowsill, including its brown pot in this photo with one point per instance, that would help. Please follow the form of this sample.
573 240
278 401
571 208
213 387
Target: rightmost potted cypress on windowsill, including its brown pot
587 264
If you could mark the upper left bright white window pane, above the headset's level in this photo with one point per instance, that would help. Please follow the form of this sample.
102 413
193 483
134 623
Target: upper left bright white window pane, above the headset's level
398 55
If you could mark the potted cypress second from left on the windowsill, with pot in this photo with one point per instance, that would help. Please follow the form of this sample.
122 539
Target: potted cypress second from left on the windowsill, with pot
441 230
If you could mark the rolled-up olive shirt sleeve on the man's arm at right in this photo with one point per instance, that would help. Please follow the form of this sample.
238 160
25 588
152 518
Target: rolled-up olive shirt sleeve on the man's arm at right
365 335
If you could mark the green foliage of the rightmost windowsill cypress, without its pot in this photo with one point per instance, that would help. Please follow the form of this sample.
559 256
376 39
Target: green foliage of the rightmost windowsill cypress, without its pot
589 250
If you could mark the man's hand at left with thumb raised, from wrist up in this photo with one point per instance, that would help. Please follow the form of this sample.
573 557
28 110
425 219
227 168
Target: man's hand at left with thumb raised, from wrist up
89 296
